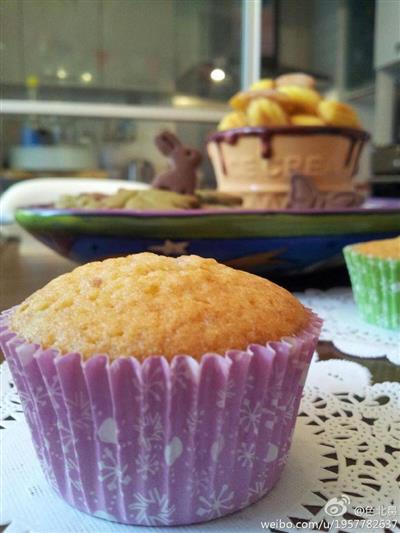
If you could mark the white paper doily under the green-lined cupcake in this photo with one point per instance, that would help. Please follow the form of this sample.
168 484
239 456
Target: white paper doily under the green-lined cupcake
344 327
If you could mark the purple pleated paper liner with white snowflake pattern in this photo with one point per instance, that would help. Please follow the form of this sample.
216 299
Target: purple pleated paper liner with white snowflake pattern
158 442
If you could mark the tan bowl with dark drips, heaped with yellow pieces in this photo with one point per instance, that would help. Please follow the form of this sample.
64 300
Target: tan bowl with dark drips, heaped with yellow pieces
283 127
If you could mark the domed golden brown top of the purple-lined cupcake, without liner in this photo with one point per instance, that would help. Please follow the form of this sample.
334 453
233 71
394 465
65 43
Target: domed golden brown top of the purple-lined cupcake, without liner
146 304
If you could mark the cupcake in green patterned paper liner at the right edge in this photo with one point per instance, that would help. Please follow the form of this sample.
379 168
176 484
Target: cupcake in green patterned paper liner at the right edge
374 269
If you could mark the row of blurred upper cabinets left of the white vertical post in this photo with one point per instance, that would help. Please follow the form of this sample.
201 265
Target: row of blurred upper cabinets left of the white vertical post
153 48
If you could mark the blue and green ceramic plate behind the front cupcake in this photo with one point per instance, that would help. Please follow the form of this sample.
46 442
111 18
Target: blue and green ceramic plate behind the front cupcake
264 242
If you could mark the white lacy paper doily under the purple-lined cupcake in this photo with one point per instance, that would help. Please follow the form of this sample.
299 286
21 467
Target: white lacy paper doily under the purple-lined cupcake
345 455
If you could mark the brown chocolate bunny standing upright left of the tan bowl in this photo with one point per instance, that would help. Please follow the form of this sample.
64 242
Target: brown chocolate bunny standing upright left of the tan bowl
181 176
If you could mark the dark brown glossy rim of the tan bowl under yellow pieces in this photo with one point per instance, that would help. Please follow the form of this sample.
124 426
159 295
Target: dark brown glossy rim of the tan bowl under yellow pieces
293 130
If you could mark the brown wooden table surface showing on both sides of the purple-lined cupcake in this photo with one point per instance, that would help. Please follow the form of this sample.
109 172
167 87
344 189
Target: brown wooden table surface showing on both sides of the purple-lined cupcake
27 265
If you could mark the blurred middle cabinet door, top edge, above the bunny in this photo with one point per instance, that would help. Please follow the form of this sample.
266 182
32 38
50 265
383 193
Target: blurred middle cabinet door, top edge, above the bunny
139 44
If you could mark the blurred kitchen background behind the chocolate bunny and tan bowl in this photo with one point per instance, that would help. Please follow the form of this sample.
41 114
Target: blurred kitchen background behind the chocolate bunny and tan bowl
86 84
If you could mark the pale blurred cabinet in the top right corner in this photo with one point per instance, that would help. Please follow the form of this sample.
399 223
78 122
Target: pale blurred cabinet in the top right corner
387 33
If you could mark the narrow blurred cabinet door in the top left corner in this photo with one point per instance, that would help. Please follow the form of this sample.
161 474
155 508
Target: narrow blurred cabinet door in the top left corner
11 45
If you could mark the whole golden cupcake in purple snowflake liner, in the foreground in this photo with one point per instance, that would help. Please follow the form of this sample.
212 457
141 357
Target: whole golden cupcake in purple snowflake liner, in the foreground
160 391
